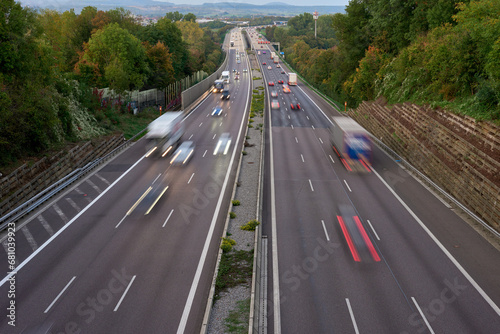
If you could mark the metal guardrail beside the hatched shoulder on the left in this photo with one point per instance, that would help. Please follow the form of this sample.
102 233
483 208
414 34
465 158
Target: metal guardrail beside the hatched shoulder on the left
40 198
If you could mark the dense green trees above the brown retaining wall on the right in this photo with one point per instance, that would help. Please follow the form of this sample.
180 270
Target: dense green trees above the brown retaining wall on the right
441 52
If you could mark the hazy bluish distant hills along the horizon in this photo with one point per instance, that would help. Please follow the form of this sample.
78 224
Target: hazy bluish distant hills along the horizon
159 8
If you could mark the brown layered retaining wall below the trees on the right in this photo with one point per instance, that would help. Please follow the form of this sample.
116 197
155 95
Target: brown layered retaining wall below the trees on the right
458 153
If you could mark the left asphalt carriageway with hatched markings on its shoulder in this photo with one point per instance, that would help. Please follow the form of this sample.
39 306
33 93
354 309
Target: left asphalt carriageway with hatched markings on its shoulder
132 248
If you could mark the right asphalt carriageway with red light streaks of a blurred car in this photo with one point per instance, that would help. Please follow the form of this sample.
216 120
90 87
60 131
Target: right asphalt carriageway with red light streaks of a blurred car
363 252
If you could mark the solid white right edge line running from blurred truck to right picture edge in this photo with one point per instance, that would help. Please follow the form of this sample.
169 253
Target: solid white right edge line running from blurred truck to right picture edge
445 251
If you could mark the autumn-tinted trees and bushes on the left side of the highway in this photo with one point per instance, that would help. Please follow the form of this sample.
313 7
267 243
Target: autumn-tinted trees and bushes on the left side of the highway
51 63
